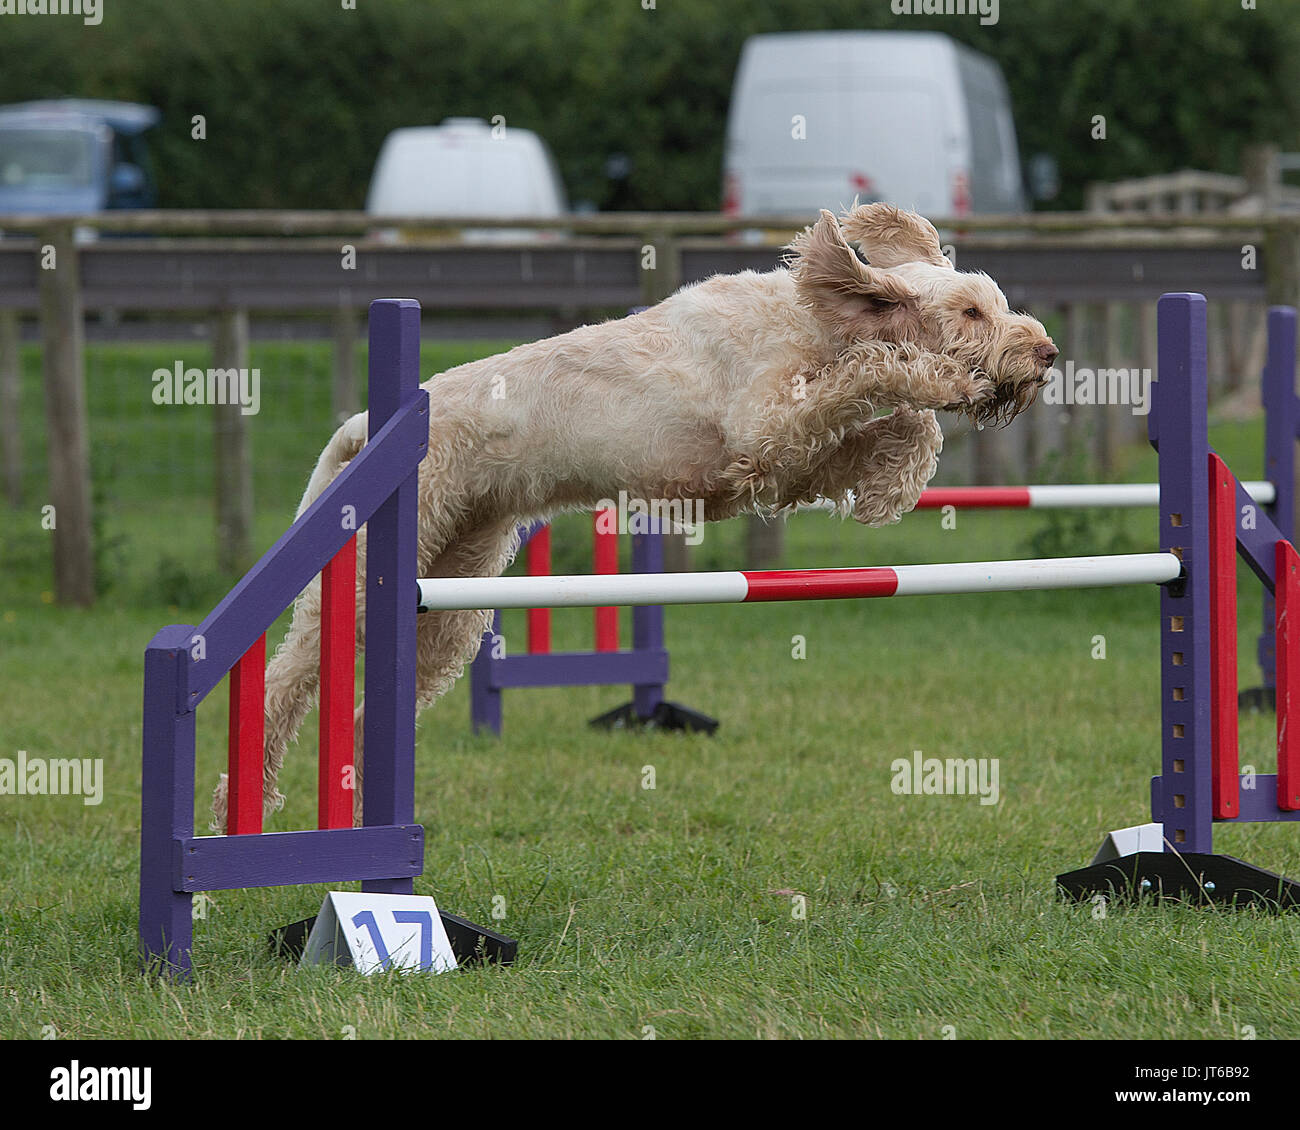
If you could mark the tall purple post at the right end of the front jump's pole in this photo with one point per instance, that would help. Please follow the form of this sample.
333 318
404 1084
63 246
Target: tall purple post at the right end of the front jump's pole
1181 798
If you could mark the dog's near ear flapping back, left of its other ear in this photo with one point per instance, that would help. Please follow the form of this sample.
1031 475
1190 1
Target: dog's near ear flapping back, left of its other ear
838 287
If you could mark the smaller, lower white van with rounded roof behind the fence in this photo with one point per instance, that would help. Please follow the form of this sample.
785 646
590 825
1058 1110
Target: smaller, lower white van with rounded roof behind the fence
461 168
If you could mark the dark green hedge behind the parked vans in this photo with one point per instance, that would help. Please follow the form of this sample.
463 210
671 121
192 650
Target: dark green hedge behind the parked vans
298 94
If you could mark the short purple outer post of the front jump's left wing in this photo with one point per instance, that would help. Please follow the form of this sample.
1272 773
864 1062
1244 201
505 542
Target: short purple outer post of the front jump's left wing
167 802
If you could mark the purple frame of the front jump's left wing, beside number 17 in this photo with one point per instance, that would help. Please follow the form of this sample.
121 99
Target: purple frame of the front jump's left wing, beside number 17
185 664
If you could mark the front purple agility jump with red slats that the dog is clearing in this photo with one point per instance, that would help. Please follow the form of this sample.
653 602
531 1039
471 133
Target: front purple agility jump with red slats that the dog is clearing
1201 530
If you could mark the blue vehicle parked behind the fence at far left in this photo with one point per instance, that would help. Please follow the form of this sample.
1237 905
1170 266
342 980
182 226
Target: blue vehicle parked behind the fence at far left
75 157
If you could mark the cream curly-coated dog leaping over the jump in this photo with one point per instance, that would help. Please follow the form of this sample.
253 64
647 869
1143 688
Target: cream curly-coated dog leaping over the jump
746 392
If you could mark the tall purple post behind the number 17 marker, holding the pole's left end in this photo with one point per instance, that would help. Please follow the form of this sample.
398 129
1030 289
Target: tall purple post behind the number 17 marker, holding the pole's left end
391 587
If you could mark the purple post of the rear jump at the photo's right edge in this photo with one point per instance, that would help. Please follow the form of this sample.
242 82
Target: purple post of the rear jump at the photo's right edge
1282 430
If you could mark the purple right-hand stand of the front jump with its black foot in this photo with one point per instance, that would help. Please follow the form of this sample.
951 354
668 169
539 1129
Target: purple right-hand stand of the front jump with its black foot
1175 854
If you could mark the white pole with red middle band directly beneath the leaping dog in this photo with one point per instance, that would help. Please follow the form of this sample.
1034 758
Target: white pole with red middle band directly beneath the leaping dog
731 588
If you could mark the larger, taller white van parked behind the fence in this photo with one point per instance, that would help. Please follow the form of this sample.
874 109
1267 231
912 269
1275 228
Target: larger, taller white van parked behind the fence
911 118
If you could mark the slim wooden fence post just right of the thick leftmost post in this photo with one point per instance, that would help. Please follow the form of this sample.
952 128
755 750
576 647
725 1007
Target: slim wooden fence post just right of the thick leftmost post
233 454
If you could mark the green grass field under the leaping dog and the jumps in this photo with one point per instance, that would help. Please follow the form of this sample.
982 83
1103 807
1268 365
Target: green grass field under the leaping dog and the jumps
673 911
